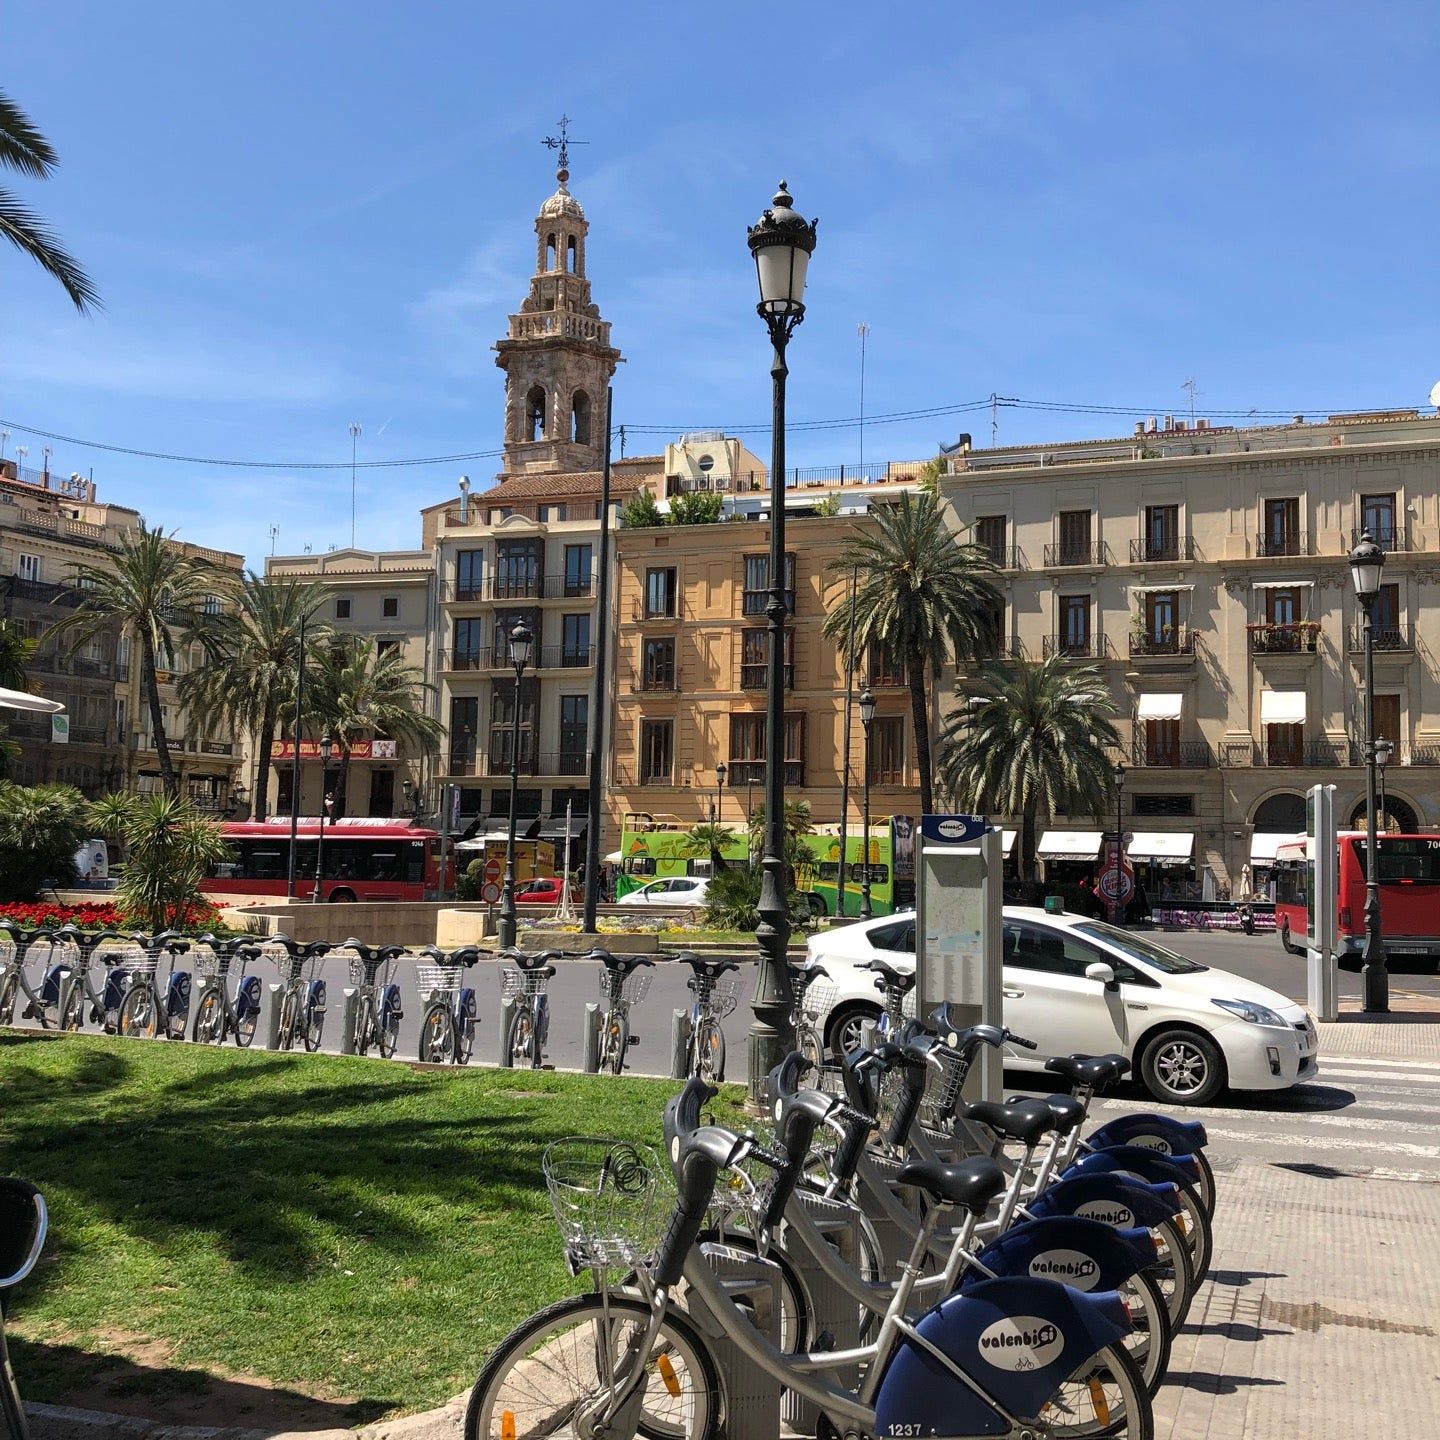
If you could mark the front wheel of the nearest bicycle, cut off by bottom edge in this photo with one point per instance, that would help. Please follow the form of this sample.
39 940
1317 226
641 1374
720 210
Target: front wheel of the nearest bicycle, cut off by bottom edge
546 1374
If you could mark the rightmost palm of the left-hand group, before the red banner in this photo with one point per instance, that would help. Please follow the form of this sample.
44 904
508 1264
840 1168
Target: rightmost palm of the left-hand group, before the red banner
359 690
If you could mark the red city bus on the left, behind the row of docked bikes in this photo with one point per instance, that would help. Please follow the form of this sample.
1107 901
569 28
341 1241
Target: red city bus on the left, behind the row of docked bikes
364 859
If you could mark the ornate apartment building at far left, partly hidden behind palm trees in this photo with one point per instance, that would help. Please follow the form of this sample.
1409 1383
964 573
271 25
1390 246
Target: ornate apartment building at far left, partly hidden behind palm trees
104 739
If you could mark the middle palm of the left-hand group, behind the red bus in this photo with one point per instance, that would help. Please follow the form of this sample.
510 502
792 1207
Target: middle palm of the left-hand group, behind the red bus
248 675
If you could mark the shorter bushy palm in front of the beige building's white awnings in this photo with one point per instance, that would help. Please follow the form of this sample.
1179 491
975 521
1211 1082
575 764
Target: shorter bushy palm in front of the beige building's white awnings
1032 742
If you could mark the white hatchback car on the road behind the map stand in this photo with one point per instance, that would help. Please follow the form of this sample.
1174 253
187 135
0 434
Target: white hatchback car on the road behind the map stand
1079 986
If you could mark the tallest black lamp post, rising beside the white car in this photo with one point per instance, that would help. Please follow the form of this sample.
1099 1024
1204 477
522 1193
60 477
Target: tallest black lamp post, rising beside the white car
783 244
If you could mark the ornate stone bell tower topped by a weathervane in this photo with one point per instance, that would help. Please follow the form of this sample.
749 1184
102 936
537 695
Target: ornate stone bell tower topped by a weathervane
558 355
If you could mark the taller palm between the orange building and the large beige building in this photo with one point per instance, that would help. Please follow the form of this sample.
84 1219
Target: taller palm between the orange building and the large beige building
924 597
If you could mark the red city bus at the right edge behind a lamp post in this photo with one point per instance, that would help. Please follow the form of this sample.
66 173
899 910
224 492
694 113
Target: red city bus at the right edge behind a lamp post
1409 875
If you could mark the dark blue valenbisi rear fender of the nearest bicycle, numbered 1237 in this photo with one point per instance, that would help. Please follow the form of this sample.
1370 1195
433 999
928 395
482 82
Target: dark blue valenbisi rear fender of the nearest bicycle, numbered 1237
1017 1338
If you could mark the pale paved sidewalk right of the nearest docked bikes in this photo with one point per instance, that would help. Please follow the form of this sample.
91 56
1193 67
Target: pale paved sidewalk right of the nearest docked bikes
1323 1315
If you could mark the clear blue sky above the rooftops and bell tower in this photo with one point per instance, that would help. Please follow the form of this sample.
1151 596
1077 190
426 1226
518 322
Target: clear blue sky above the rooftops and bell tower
310 214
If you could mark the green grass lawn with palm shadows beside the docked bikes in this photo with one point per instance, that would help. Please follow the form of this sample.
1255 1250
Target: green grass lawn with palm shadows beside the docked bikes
341 1228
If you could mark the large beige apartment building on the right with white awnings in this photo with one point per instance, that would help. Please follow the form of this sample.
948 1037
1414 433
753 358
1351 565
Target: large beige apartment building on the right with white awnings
1205 571
